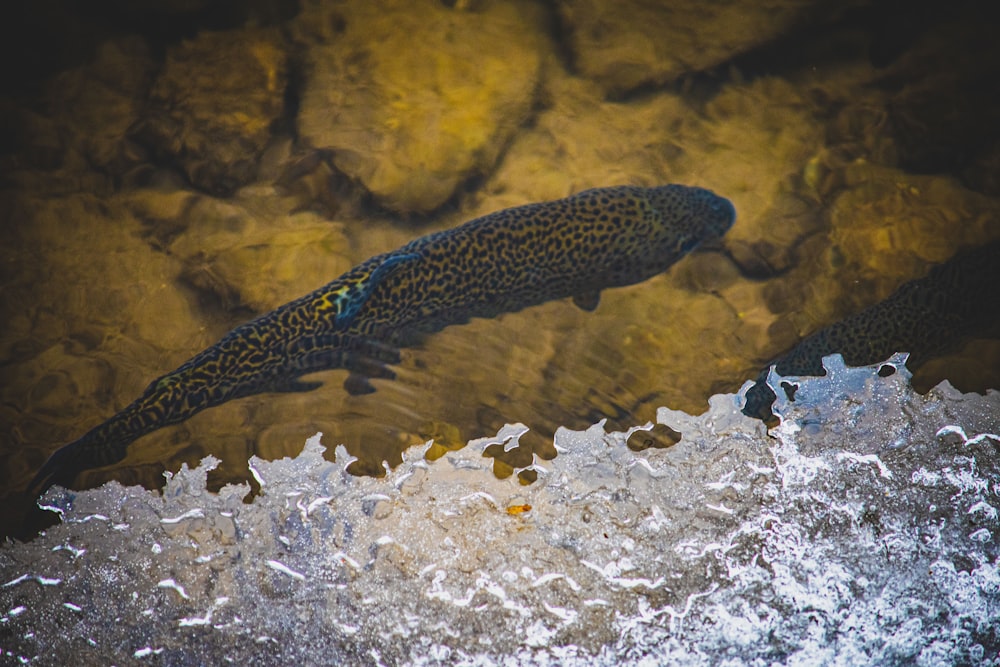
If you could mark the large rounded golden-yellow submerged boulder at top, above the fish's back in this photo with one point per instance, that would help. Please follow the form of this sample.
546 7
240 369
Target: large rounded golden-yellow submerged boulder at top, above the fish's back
412 98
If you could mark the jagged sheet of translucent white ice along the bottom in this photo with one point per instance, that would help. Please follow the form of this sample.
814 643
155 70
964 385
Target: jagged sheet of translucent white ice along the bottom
861 531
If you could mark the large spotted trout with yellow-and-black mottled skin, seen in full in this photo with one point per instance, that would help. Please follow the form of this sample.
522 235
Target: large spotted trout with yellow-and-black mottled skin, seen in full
503 262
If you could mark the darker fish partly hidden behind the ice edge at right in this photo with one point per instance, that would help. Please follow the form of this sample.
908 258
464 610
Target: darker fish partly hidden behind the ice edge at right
926 317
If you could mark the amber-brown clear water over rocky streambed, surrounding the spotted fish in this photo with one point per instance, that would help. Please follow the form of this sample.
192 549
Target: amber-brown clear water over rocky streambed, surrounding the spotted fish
154 197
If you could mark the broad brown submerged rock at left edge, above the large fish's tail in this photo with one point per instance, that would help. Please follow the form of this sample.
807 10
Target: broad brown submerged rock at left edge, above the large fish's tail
67 333
